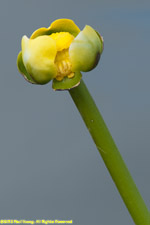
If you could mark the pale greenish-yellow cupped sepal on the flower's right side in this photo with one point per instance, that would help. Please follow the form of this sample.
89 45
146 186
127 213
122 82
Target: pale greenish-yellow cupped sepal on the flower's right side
85 50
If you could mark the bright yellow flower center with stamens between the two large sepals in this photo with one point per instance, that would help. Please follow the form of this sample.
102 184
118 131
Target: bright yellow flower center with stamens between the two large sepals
62 61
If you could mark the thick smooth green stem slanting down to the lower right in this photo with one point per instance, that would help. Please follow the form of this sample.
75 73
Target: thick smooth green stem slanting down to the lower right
110 154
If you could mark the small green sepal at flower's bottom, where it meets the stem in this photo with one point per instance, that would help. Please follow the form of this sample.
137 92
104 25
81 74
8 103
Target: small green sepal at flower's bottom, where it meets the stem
67 83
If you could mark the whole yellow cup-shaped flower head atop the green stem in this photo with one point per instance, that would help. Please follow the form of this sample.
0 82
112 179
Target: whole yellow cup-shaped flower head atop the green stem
59 52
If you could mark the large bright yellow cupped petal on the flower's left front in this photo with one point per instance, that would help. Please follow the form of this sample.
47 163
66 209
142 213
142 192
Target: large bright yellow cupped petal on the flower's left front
38 57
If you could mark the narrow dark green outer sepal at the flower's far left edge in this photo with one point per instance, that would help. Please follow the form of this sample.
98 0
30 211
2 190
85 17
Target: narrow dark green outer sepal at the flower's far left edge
23 70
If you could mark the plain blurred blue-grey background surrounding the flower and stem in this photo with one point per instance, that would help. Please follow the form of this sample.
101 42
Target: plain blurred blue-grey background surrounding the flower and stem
49 166
